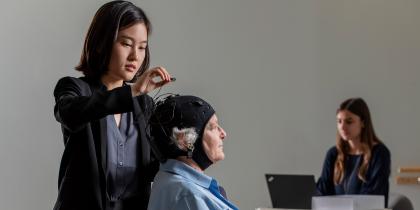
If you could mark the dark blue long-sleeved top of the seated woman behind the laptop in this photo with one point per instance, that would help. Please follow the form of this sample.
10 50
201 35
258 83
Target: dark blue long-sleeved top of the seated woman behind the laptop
377 175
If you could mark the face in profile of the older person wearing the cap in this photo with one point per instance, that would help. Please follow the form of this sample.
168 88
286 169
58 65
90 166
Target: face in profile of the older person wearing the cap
213 137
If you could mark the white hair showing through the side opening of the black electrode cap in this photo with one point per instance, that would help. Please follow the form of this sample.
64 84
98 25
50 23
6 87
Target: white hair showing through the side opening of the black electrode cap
182 137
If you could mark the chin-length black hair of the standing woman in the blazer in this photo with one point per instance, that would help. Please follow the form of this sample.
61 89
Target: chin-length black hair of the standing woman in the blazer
108 20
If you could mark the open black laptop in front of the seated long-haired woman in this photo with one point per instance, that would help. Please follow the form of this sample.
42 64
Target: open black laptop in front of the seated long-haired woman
288 191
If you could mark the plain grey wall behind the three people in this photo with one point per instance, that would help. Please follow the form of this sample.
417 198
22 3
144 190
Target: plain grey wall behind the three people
275 70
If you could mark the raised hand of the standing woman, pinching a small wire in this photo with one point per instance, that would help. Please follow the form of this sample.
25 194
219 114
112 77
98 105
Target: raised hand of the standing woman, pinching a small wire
145 83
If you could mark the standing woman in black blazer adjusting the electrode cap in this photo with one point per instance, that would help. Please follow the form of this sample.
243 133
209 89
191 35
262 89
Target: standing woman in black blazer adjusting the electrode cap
107 162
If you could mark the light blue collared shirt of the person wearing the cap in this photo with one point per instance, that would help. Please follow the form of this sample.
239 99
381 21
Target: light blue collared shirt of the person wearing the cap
178 186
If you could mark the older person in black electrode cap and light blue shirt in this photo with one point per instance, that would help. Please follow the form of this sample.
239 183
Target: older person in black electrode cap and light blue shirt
188 139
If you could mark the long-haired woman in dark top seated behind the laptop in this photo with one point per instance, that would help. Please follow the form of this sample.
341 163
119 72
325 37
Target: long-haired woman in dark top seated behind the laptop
359 163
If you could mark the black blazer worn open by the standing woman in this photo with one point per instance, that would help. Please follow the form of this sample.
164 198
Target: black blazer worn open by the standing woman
81 107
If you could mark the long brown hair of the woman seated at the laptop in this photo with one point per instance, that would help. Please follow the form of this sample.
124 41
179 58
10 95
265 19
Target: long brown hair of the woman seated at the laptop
368 139
